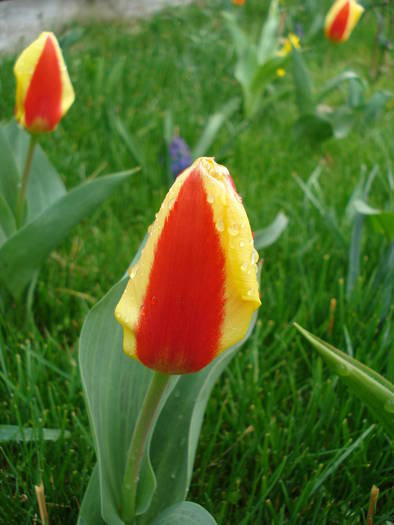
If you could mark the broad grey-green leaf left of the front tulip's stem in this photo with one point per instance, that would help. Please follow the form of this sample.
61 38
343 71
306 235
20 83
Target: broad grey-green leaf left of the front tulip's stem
115 387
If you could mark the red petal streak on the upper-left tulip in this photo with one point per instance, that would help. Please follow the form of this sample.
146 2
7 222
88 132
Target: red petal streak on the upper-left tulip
44 96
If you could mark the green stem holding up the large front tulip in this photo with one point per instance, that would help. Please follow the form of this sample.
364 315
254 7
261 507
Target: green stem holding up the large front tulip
137 446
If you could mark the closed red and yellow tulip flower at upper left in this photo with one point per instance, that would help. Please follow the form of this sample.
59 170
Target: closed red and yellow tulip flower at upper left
43 92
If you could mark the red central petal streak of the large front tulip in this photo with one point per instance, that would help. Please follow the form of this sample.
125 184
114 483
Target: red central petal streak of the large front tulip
180 321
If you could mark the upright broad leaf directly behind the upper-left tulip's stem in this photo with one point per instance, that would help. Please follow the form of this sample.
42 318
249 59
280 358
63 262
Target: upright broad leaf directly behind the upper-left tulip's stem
45 186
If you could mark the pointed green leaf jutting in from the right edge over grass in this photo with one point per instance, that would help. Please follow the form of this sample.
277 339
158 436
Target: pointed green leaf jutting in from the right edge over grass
373 389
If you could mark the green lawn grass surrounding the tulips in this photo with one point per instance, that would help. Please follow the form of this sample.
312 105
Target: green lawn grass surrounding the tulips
283 440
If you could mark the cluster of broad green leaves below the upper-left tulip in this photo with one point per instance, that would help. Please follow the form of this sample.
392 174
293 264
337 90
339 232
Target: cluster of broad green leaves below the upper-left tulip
51 211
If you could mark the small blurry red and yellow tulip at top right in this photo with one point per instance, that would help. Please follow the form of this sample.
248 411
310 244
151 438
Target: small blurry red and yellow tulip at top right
341 19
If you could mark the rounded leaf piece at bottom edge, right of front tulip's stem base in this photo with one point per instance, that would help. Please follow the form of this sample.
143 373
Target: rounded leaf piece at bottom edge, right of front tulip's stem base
184 513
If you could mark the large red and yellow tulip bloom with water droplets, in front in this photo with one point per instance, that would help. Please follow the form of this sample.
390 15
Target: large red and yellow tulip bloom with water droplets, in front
194 289
